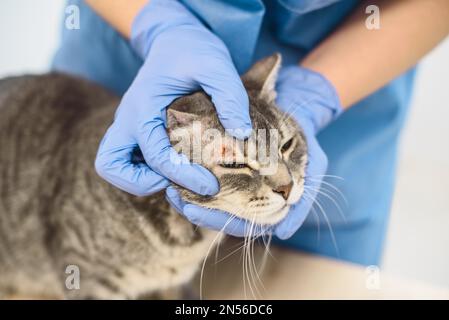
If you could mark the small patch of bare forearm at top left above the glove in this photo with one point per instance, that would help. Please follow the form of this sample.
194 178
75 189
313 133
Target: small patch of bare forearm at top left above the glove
118 13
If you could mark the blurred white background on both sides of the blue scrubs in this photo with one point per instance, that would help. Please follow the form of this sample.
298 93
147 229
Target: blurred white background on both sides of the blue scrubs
418 238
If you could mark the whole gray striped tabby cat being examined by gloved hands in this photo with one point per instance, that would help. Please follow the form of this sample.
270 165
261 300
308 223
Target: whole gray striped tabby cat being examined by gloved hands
56 212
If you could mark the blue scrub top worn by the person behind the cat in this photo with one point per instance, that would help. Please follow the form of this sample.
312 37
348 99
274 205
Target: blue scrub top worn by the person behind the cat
361 144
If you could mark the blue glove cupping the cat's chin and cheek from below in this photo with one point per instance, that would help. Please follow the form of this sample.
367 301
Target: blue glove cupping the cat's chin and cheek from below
313 102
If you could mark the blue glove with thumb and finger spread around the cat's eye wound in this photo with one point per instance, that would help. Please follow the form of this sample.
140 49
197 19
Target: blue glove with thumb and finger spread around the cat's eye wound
180 56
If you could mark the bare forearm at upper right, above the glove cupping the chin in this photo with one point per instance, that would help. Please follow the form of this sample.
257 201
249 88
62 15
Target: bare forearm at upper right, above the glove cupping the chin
358 61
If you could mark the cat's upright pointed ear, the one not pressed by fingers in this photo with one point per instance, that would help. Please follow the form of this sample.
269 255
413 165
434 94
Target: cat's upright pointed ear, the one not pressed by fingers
262 76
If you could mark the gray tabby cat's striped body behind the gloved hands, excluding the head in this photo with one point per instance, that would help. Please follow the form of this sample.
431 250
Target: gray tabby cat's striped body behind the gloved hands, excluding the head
57 214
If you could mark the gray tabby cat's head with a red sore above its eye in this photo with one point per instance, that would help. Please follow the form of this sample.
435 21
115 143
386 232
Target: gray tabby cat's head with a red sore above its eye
252 187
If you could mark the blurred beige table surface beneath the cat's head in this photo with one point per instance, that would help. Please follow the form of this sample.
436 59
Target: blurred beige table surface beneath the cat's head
294 275
